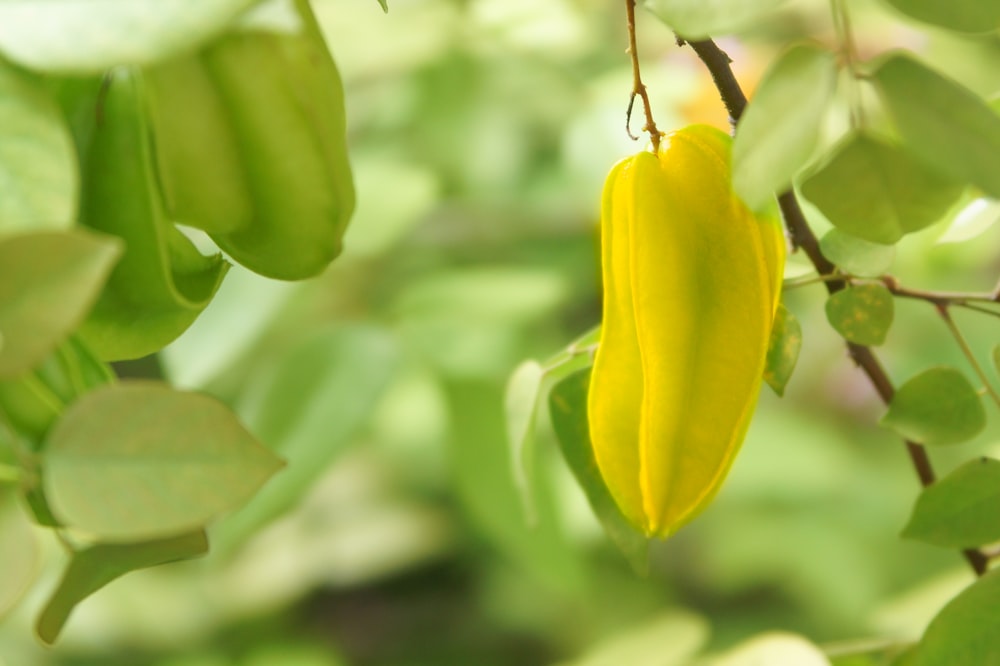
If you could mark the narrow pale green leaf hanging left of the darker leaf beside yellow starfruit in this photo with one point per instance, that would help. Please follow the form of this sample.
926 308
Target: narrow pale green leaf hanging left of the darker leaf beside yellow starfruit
521 406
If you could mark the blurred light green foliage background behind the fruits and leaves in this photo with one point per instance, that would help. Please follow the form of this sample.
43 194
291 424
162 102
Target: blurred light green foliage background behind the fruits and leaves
481 132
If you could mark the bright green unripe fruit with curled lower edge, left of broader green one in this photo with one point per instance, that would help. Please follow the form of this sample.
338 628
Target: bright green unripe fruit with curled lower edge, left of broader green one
162 282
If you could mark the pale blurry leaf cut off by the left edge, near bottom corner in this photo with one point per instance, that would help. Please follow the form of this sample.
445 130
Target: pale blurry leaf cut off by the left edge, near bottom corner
20 558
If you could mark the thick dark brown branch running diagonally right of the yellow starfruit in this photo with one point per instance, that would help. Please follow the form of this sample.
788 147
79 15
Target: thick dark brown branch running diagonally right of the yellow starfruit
719 66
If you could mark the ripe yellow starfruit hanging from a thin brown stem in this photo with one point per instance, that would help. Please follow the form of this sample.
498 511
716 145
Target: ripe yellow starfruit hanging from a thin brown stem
691 283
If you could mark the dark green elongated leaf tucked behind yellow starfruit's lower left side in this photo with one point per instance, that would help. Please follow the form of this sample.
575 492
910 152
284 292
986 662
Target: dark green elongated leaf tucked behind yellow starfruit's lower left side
568 409
